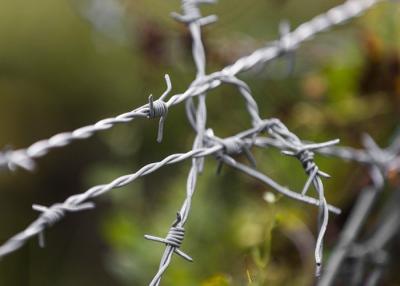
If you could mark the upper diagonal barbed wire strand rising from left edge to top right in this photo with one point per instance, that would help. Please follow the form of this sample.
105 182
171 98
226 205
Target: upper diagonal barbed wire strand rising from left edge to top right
25 158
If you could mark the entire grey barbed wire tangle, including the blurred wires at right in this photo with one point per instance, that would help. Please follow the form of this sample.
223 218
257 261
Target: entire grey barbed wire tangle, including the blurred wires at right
264 133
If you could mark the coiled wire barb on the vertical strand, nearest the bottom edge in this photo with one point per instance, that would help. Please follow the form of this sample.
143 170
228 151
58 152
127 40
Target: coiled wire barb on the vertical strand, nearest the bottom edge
174 237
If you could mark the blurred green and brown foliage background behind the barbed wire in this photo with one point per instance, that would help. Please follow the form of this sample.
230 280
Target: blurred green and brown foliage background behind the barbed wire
68 63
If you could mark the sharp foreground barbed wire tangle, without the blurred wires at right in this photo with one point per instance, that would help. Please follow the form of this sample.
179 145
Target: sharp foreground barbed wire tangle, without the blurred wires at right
223 149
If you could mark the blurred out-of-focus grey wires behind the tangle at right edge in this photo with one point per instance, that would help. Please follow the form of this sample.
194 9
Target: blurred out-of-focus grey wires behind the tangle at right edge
381 163
